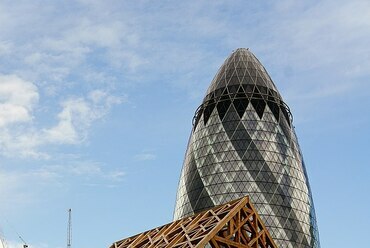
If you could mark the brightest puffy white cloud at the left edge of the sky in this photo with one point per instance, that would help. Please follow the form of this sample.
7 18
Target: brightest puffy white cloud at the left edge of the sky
21 137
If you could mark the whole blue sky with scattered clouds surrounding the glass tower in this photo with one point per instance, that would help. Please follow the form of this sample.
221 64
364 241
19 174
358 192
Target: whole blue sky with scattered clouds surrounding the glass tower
97 98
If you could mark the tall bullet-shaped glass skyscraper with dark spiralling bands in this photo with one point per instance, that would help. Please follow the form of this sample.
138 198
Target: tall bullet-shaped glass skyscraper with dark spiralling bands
243 143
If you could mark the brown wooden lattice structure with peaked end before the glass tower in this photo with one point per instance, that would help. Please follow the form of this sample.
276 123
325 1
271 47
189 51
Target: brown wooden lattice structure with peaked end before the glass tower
232 225
